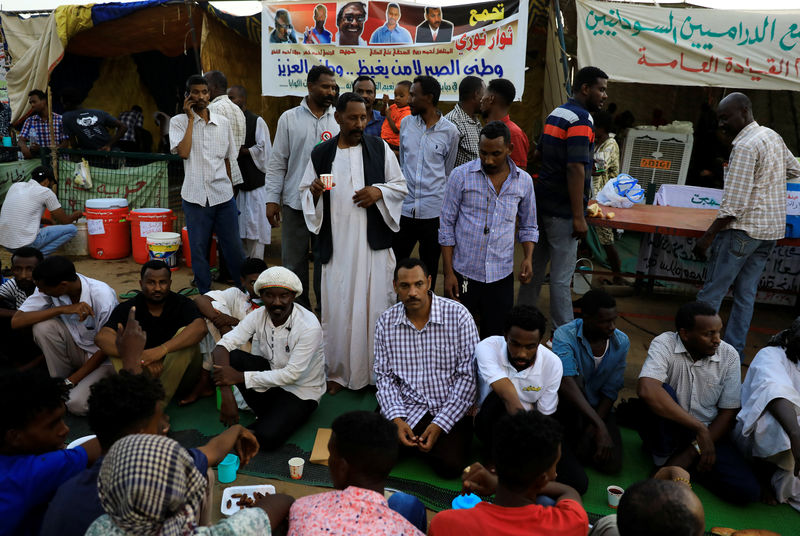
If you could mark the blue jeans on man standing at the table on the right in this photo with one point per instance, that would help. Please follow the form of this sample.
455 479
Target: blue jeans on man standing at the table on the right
735 259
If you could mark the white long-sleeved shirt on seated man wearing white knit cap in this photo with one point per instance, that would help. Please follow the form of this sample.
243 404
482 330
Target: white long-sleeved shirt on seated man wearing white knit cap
294 351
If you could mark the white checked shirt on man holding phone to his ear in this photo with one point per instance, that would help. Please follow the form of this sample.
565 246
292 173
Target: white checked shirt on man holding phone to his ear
205 178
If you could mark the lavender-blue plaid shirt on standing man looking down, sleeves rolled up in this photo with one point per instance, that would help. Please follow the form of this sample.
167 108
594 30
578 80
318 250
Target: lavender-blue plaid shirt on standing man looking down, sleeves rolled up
472 207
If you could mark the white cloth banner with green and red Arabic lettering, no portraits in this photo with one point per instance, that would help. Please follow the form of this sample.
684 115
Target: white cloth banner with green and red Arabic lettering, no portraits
691 47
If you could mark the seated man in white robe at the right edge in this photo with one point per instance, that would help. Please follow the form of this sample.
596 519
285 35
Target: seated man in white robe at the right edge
768 426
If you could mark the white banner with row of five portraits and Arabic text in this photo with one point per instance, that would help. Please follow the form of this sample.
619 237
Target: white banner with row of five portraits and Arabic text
392 42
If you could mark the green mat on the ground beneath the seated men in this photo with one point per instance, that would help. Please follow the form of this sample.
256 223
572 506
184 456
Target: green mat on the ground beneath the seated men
194 425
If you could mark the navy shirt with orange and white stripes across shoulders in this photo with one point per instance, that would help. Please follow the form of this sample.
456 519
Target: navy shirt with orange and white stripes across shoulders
568 138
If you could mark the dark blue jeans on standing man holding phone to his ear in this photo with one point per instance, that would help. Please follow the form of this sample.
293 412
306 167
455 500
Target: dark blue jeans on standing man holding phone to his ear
201 223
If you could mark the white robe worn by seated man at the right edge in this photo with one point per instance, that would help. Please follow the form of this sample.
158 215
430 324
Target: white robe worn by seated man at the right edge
770 376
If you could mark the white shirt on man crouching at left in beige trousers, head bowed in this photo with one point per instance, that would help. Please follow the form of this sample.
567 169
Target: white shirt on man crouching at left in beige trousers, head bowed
100 297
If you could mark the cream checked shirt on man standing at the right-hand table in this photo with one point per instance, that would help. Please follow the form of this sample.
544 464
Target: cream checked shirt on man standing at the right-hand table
755 186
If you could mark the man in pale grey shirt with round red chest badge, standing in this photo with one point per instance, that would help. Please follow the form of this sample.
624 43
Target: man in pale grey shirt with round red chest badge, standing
299 130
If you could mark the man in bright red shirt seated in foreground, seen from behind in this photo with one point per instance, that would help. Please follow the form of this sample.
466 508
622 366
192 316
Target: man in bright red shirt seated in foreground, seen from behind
526 450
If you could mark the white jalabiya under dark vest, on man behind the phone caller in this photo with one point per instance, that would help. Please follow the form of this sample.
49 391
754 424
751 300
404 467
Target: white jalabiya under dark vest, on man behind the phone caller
254 228
